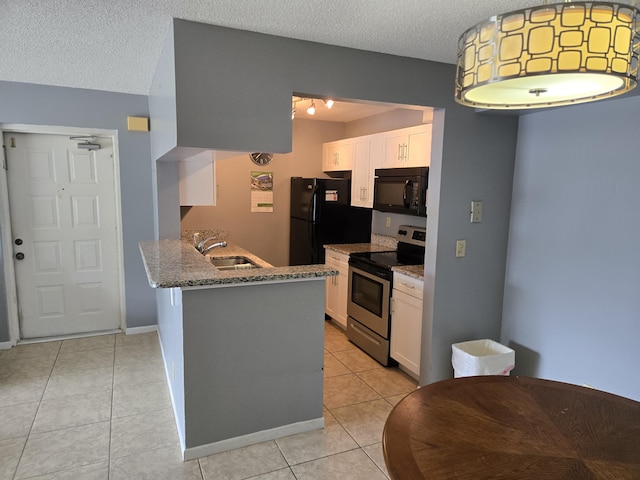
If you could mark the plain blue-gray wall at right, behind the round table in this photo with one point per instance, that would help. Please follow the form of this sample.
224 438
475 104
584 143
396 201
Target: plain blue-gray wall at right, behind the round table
573 278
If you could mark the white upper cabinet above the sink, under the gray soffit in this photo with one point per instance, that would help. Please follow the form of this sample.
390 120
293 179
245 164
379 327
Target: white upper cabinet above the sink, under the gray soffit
197 179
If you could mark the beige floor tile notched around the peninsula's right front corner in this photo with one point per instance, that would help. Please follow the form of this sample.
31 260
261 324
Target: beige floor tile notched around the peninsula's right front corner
317 443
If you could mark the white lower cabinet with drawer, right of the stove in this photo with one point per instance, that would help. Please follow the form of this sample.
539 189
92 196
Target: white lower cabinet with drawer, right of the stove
406 321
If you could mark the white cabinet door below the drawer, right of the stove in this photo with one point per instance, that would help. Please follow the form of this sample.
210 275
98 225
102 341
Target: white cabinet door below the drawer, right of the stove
406 330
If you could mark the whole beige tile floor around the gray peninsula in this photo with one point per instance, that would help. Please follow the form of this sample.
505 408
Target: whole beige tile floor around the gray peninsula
98 408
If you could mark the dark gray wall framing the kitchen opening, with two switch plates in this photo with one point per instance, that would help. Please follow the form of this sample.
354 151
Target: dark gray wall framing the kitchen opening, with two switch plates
223 104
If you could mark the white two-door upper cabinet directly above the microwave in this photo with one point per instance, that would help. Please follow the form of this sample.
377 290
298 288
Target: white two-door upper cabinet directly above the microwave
407 147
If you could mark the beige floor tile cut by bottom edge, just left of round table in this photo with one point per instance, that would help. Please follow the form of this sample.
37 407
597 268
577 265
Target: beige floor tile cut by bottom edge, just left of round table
352 465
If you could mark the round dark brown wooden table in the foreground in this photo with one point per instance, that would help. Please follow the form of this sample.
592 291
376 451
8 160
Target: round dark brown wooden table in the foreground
492 427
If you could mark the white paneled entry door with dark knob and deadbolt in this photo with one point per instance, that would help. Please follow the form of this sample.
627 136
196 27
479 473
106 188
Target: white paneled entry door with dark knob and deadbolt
64 228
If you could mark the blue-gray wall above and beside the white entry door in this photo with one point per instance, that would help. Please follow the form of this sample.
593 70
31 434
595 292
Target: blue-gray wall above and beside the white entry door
69 107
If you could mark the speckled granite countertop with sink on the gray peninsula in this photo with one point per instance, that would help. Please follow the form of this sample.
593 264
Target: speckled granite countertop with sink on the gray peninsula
176 263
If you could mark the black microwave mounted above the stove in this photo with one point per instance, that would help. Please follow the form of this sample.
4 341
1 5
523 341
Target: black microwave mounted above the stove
401 190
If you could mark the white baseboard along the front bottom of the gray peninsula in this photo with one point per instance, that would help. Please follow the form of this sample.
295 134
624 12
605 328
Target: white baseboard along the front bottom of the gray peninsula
252 438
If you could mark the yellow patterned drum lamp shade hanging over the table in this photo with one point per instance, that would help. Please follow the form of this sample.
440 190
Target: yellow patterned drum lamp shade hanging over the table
550 55
